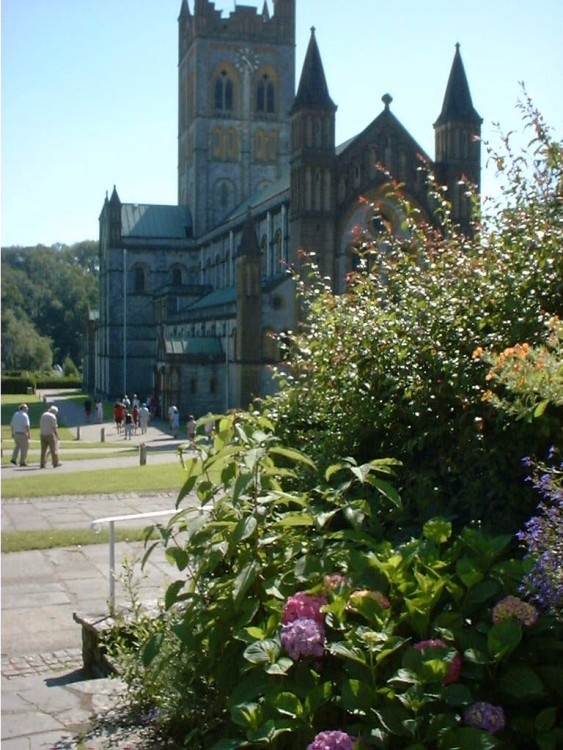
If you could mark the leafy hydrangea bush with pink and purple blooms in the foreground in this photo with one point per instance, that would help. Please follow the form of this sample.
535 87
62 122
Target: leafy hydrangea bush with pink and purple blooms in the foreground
294 623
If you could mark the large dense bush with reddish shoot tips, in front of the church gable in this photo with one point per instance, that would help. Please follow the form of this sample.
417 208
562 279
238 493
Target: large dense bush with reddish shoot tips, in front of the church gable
387 369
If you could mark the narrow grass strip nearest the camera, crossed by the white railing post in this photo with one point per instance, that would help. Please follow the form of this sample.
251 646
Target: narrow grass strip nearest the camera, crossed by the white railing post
20 541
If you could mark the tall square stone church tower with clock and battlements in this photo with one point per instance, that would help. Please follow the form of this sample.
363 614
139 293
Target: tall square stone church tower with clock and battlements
236 84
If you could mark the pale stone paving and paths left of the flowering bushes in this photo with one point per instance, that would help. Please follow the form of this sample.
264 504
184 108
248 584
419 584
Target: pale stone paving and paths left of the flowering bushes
46 702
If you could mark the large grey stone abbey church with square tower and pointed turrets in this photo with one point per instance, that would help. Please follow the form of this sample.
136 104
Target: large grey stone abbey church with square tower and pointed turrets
193 296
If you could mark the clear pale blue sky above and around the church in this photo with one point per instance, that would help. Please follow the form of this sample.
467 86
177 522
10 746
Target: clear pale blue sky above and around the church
89 90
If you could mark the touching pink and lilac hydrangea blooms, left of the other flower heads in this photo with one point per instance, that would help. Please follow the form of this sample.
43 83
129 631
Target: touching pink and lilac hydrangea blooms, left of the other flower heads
303 631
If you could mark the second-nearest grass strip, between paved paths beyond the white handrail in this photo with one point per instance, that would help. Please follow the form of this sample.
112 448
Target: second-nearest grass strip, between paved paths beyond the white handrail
162 477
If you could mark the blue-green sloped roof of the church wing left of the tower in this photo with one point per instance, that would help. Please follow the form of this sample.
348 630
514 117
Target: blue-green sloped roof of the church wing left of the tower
155 222
